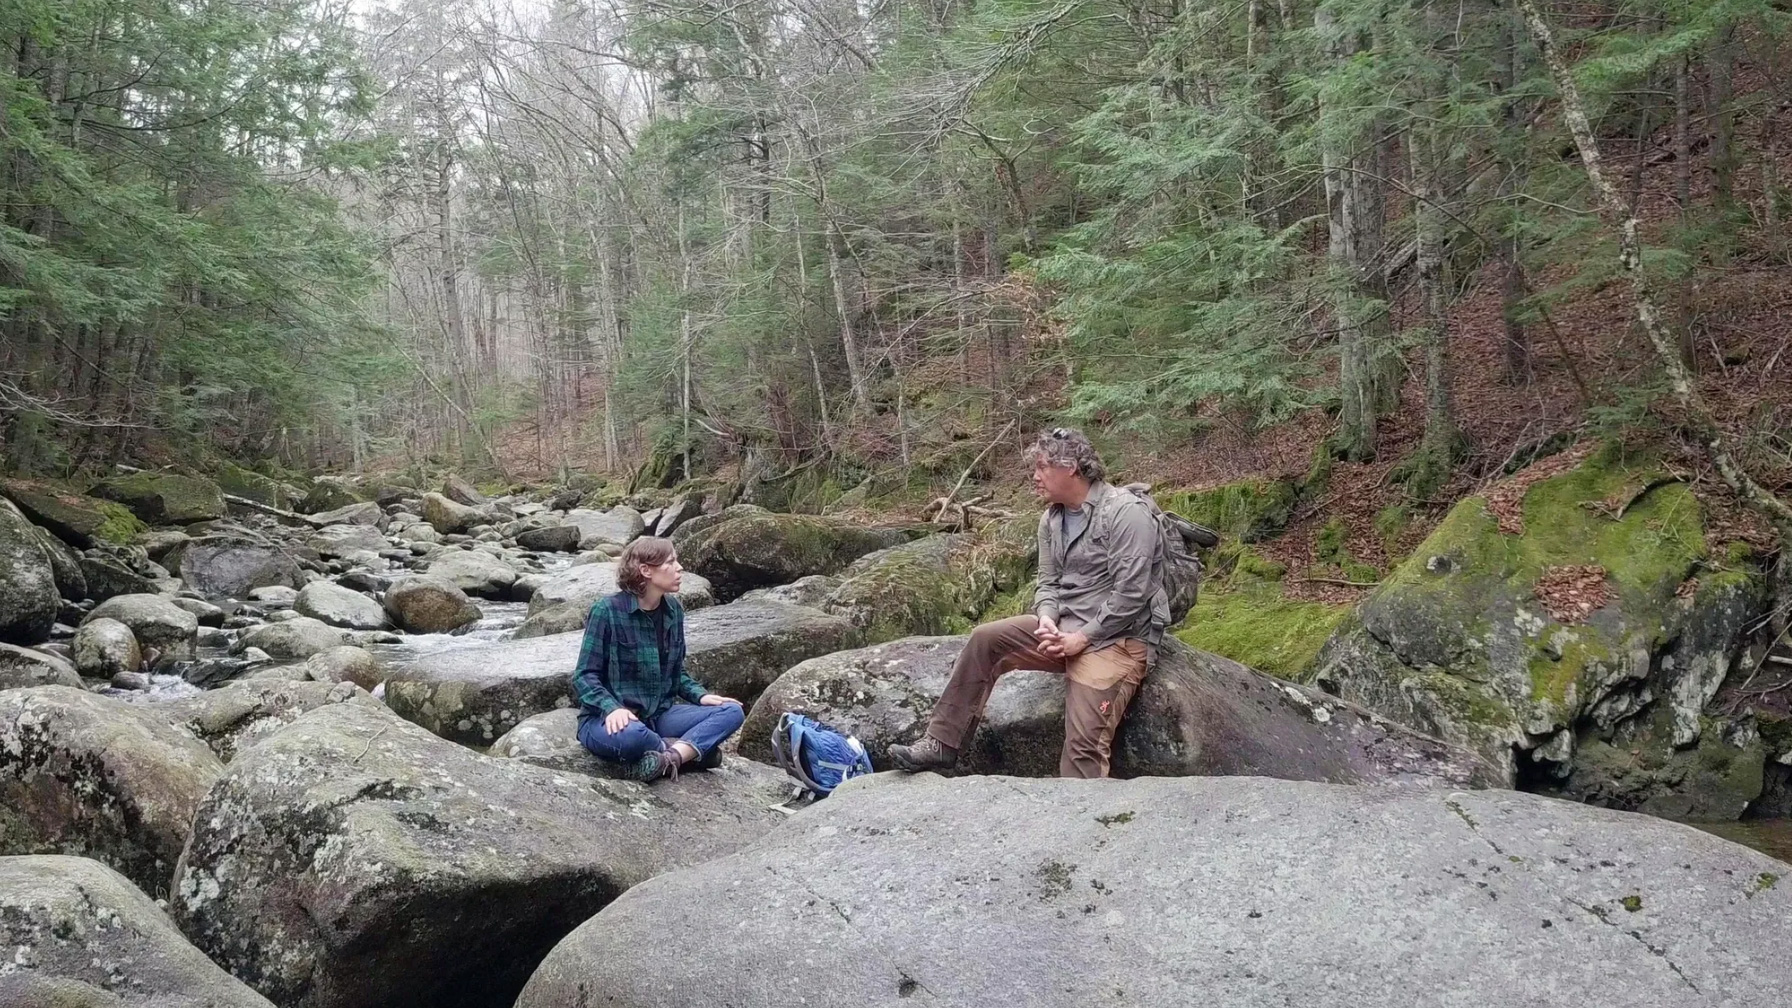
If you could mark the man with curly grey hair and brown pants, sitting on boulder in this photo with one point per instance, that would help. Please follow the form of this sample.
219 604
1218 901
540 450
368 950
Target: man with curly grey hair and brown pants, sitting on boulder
1099 614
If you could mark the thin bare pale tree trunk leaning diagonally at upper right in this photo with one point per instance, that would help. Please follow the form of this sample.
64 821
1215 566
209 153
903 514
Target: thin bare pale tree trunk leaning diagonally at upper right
1623 220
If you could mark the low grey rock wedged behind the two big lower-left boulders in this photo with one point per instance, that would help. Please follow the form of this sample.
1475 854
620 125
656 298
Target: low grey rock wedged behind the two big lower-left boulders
245 713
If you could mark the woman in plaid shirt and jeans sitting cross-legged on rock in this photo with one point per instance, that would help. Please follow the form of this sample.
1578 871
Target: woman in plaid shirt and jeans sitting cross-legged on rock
637 704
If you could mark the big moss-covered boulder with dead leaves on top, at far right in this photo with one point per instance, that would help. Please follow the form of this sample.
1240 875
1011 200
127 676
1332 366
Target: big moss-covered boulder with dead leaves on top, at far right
1470 641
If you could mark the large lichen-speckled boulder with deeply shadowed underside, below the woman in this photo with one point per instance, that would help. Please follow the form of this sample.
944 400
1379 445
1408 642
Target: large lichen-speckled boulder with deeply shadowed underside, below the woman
358 862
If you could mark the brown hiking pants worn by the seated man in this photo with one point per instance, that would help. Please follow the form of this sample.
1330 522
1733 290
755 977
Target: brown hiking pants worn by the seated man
1098 691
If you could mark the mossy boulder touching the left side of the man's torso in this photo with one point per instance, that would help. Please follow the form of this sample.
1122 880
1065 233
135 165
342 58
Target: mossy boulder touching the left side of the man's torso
933 586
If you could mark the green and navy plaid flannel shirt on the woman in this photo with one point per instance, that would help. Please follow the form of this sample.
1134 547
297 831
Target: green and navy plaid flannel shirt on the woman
621 663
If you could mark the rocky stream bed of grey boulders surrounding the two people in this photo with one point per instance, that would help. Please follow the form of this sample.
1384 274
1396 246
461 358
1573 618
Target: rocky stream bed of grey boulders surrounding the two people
261 758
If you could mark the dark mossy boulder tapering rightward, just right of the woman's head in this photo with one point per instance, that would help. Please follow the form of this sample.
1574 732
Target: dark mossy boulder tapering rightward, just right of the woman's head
752 548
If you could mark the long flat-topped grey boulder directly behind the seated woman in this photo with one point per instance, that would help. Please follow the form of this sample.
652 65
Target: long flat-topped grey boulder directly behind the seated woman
478 693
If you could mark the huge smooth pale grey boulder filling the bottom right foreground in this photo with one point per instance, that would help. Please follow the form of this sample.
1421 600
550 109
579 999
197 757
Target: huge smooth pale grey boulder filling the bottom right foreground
1164 894
